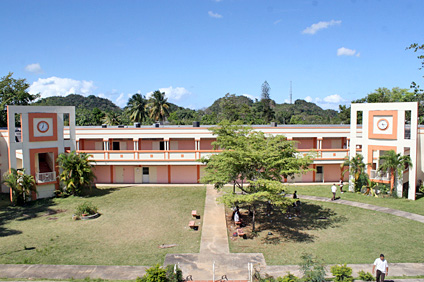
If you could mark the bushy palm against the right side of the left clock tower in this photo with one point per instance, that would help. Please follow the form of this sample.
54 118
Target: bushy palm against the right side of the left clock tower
77 172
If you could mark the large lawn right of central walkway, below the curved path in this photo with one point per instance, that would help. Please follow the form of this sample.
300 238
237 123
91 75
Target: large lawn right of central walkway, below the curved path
336 234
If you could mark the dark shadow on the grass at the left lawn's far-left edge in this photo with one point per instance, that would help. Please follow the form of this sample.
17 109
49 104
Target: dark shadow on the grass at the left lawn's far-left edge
29 211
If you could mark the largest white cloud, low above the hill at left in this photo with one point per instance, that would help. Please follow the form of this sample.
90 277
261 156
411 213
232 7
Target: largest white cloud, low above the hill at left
56 86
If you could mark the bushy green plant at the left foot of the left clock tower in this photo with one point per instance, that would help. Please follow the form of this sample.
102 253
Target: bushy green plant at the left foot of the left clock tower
21 185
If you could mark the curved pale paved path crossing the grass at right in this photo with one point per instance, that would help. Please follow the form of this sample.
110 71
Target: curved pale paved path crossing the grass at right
408 215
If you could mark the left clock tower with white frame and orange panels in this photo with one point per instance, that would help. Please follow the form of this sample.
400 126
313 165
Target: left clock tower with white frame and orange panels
43 134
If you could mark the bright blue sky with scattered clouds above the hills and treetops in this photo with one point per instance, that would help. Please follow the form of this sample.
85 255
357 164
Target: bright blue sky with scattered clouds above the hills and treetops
196 51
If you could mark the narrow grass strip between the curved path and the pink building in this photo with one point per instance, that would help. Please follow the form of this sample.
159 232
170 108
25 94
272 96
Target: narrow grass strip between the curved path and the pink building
403 204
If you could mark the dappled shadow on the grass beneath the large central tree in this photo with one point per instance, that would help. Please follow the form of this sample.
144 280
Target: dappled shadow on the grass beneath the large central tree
288 227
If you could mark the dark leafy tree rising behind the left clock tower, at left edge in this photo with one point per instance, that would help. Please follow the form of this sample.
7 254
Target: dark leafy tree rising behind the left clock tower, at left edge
13 92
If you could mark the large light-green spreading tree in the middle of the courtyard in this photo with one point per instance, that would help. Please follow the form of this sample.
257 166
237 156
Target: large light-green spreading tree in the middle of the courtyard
264 161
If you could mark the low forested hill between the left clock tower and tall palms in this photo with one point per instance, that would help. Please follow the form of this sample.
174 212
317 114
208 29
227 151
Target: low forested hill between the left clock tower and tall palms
79 101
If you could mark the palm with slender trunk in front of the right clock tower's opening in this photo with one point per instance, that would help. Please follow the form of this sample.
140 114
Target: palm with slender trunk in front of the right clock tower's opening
395 164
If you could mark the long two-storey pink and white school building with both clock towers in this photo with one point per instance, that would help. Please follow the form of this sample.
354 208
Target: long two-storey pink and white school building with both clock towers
168 154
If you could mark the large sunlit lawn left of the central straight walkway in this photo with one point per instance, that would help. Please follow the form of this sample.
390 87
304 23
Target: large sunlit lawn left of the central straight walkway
134 222
